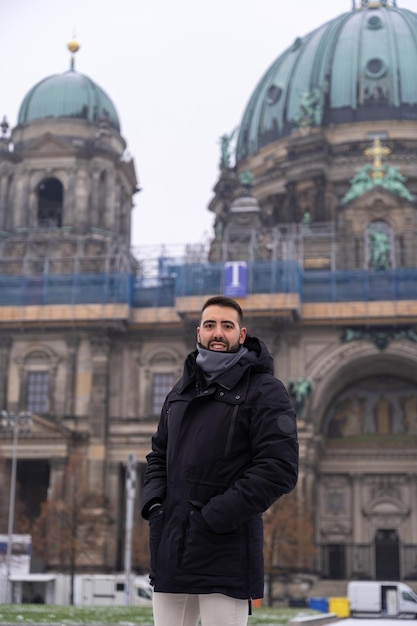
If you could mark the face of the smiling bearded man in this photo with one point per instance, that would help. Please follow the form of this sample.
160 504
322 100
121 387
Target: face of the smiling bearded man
219 329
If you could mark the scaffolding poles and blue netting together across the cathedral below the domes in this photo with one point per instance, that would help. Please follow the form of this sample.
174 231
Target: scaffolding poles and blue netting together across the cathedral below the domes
311 261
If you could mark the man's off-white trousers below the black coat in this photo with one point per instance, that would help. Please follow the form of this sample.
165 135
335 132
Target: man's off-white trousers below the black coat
184 609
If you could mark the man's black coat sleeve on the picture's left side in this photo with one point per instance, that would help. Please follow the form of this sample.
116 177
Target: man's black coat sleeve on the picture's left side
154 483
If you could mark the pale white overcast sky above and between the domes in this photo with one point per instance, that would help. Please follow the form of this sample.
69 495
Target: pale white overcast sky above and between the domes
179 72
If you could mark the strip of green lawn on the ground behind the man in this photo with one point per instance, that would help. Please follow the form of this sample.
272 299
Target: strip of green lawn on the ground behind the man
26 614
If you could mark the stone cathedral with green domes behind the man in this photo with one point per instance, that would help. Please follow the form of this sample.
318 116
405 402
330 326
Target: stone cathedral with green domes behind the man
315 224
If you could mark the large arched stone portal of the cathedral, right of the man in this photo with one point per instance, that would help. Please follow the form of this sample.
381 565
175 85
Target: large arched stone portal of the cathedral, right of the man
358 488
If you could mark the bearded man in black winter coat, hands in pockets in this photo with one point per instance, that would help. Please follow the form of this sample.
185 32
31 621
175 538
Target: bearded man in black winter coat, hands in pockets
225 450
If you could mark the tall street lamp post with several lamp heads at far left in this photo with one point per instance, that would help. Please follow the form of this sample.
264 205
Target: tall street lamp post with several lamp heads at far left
12 424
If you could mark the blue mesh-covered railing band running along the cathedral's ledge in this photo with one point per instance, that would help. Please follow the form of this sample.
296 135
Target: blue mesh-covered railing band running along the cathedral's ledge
174 279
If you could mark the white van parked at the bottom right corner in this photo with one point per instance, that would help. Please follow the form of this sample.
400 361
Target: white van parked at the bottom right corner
381 598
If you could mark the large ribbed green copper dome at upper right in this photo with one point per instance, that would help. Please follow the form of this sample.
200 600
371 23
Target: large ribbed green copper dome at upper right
360 66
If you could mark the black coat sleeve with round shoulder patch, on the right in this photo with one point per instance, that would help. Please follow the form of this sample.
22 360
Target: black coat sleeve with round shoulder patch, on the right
274 467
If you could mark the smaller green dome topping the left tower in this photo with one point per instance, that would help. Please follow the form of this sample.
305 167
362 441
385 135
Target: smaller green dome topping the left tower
69 94
